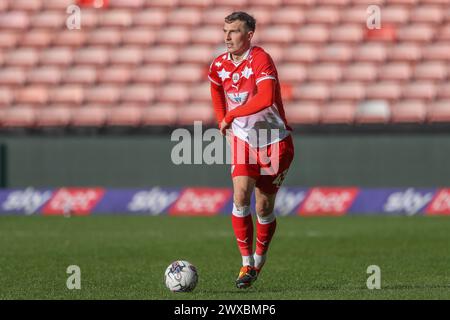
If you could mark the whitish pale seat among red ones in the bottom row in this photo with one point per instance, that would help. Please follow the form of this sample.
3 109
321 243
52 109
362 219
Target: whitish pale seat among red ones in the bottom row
375 111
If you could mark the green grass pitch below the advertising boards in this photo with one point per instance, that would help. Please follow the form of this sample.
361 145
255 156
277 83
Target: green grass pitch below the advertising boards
124 257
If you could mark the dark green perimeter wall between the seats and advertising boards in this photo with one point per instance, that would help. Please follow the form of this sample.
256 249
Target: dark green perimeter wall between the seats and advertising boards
143 161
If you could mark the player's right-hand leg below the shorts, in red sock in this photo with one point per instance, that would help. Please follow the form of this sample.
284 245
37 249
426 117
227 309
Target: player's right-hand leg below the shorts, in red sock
265 225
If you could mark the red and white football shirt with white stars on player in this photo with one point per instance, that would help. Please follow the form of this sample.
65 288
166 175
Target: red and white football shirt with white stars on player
239 81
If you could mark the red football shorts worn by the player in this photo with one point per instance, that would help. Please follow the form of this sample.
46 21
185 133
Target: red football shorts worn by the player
267 165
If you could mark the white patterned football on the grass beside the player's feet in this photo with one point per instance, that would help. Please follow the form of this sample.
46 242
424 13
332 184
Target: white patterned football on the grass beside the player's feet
181 276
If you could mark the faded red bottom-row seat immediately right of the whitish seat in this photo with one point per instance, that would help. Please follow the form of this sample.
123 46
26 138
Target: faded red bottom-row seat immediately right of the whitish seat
410 111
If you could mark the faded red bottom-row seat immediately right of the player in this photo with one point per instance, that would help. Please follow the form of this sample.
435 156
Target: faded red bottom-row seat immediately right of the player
299 112
